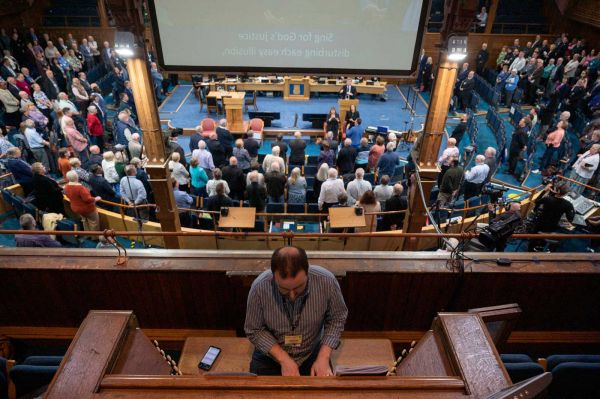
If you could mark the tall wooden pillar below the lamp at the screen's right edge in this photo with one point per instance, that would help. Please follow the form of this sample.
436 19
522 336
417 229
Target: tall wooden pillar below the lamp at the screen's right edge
428 148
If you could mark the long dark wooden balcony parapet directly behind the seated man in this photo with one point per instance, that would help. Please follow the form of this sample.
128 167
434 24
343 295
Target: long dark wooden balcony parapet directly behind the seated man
208 289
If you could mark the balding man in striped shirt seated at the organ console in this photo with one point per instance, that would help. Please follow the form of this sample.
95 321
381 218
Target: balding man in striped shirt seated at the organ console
295 317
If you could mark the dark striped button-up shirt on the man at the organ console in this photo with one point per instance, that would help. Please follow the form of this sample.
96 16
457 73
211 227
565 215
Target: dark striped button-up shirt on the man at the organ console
319 312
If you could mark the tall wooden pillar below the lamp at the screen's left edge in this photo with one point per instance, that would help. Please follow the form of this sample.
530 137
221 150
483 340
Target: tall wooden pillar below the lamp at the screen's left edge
157 166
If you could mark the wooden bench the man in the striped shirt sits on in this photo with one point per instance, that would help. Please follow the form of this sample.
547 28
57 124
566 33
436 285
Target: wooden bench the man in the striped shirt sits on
236 354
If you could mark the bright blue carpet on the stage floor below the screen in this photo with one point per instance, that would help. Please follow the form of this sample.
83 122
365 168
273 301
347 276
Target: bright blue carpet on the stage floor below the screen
373 111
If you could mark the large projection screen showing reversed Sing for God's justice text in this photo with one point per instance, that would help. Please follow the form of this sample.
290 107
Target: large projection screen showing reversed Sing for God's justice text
322 36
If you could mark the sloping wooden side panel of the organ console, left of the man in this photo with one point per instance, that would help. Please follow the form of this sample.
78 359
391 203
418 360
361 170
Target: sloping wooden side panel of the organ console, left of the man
90 355
